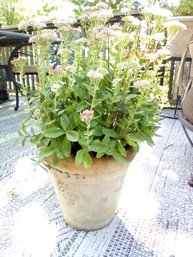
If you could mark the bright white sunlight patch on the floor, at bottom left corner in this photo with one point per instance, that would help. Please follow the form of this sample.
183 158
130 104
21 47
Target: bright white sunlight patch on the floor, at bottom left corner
33 234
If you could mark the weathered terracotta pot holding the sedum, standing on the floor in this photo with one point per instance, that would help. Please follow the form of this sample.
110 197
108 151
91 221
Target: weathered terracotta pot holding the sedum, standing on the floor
89 197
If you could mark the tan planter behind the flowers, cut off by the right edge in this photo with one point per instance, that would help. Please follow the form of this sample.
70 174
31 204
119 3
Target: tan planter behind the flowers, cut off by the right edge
179 43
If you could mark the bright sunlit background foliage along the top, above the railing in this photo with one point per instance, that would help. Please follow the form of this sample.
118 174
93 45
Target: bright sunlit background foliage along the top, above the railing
14 11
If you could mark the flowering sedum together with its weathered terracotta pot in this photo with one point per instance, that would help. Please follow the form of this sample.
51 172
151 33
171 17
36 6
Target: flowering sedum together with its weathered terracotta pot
92 110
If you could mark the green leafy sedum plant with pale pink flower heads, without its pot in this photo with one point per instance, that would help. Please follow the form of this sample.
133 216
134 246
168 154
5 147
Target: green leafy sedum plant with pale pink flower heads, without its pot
101 95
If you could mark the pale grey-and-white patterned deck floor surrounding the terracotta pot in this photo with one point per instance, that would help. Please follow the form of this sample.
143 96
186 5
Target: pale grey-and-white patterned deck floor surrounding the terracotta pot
155 212
